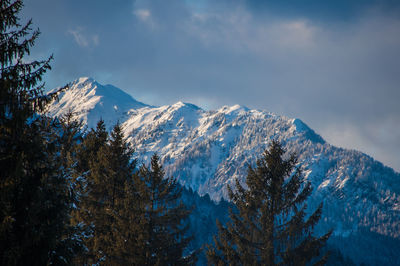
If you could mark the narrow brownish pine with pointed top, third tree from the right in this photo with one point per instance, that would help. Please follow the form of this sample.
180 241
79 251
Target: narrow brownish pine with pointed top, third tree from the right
115 161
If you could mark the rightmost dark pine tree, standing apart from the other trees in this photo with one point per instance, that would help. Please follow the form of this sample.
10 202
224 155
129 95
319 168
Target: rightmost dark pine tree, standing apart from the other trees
270 225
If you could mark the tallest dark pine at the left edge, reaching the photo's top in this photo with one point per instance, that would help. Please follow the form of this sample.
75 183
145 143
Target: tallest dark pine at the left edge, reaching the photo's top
34 200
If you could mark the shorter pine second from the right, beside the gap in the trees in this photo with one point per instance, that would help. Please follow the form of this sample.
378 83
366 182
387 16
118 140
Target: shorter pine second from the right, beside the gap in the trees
162 225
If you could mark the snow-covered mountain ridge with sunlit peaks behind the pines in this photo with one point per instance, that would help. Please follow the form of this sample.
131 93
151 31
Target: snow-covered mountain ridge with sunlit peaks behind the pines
208 150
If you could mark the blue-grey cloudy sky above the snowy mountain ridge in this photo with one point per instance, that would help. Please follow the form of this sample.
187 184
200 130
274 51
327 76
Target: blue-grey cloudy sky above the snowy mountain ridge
333 64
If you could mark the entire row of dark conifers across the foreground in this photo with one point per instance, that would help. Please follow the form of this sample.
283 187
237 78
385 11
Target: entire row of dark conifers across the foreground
73 197
